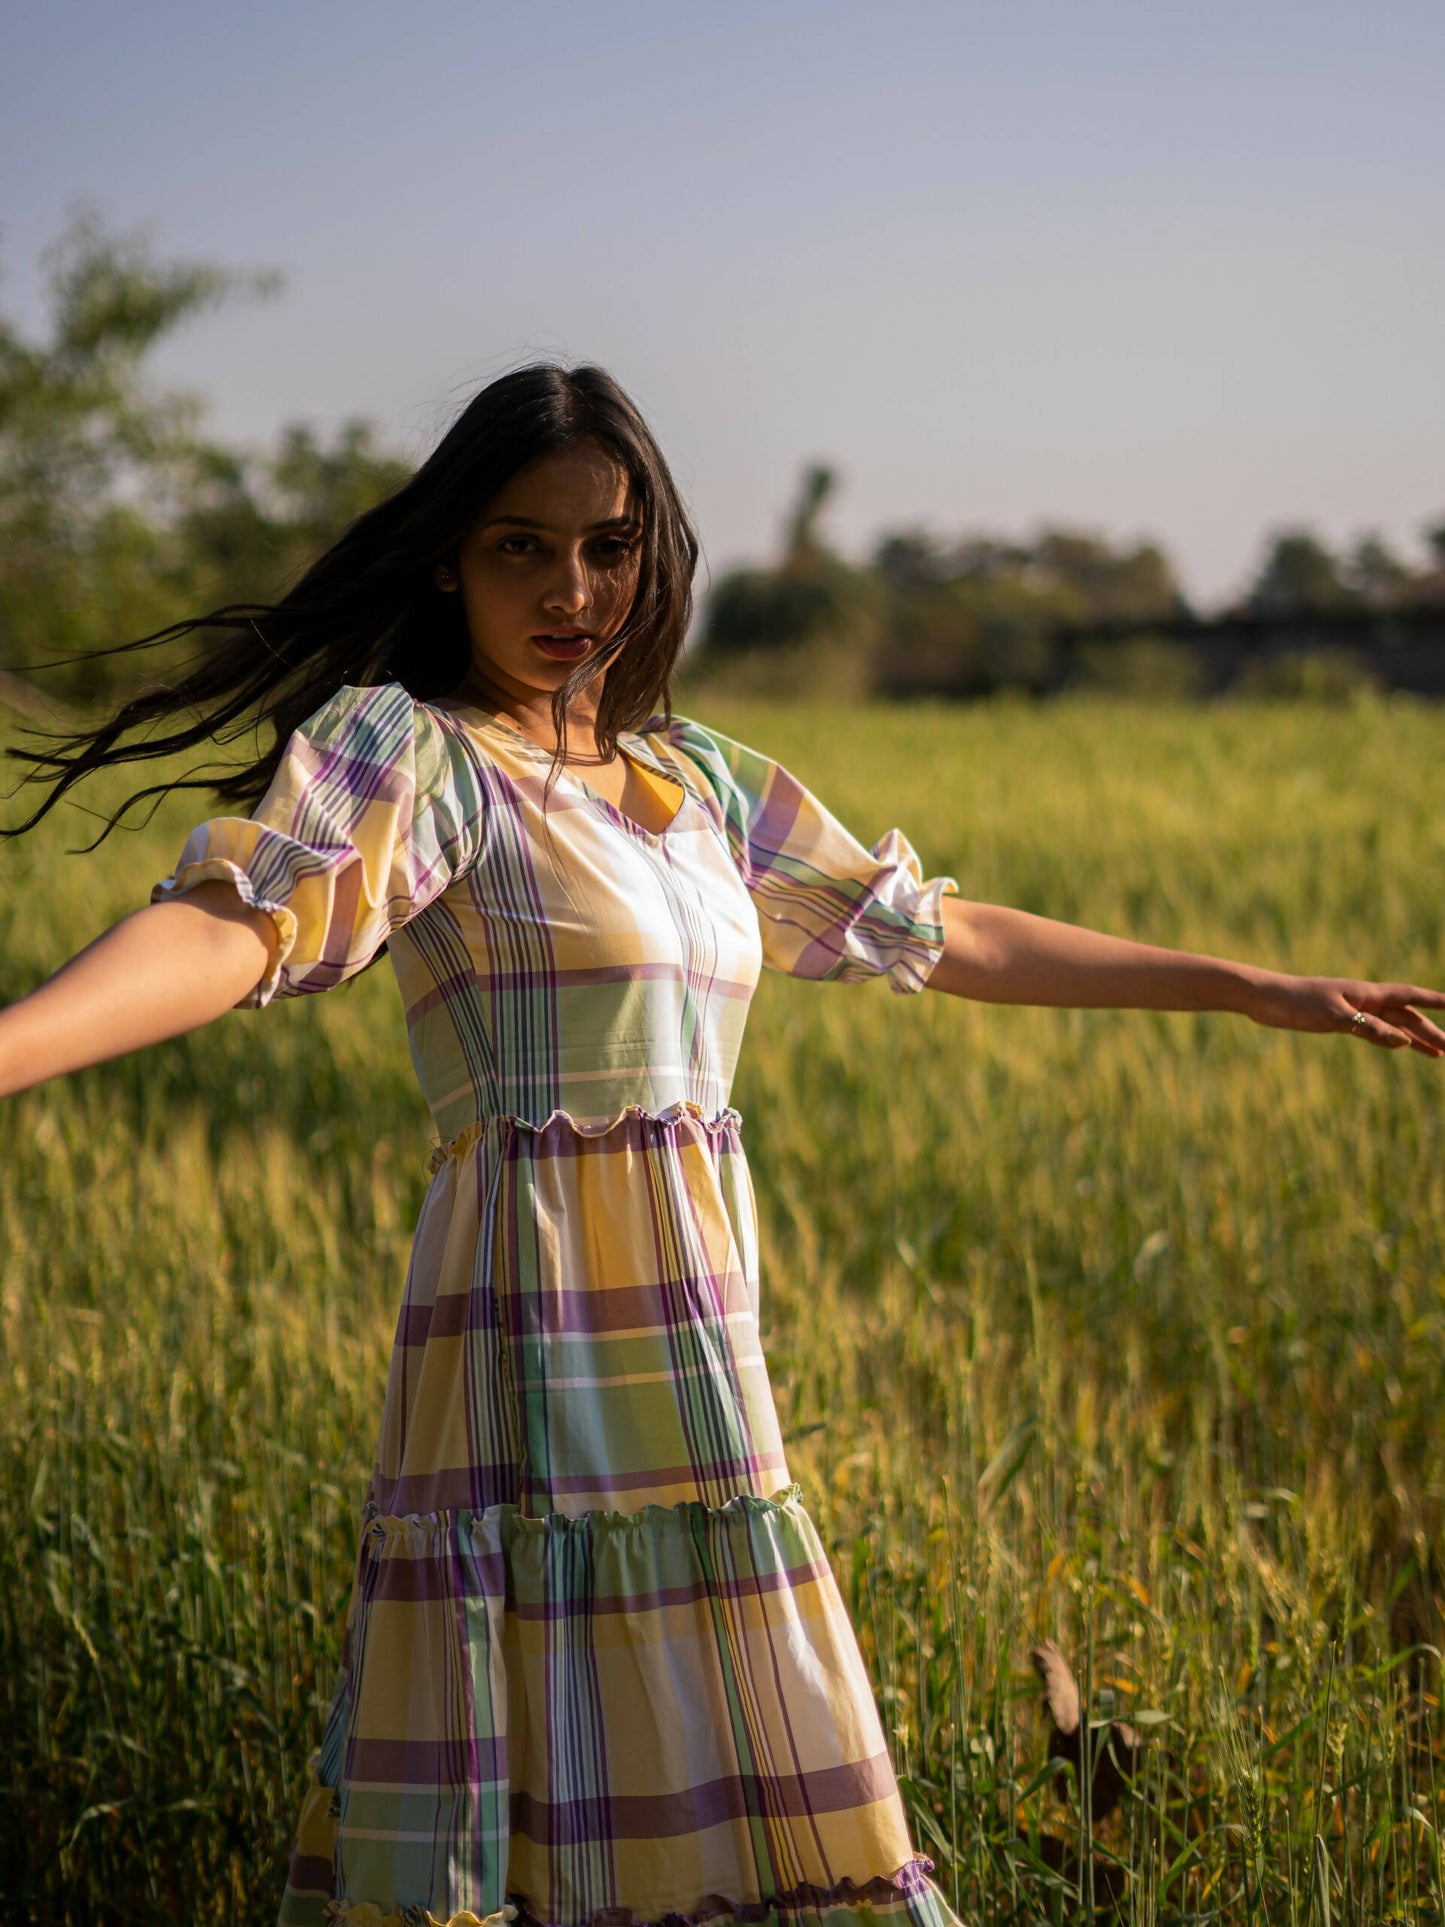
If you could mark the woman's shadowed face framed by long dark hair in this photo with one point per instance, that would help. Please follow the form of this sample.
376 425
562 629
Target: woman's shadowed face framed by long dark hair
548 573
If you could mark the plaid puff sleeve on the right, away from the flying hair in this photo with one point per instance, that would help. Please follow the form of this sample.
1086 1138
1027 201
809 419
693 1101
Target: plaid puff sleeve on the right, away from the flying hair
828 907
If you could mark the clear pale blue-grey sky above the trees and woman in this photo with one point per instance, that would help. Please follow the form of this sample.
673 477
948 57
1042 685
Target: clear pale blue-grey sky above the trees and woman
1155 269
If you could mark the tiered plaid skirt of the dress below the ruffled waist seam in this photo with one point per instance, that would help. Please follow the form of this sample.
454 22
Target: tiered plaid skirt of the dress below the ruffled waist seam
617 1685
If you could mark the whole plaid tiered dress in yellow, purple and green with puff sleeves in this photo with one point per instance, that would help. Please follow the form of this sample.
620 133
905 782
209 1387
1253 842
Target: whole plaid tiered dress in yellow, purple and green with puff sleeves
596 1668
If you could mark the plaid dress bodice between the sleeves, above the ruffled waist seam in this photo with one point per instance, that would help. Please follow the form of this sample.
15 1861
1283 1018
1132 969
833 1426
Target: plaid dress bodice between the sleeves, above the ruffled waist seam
581 964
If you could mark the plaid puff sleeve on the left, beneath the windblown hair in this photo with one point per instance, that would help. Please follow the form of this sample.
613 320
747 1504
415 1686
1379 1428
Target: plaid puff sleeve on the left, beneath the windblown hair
375 808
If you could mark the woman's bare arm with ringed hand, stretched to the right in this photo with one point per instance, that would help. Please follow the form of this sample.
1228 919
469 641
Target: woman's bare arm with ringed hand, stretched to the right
1011 957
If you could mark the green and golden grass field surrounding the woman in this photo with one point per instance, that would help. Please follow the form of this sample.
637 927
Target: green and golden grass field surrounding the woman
1107 1327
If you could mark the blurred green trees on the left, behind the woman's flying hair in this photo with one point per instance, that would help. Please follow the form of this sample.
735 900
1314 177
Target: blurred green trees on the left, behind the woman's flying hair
117 514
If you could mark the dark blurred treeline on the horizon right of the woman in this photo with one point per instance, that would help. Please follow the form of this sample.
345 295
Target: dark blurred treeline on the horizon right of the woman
980 614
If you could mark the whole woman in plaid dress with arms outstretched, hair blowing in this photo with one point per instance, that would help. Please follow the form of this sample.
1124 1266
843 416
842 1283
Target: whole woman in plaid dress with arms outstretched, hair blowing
596 1668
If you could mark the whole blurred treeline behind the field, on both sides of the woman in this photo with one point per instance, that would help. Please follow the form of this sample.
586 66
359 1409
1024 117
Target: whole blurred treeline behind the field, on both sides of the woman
120 514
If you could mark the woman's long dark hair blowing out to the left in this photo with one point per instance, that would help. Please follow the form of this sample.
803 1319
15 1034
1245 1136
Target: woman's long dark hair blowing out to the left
371 612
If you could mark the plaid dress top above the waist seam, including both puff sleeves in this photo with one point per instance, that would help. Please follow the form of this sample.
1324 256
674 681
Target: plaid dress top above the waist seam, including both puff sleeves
556 957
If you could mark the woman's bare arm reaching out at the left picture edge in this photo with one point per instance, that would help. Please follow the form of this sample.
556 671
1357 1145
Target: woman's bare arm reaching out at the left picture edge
165 970
